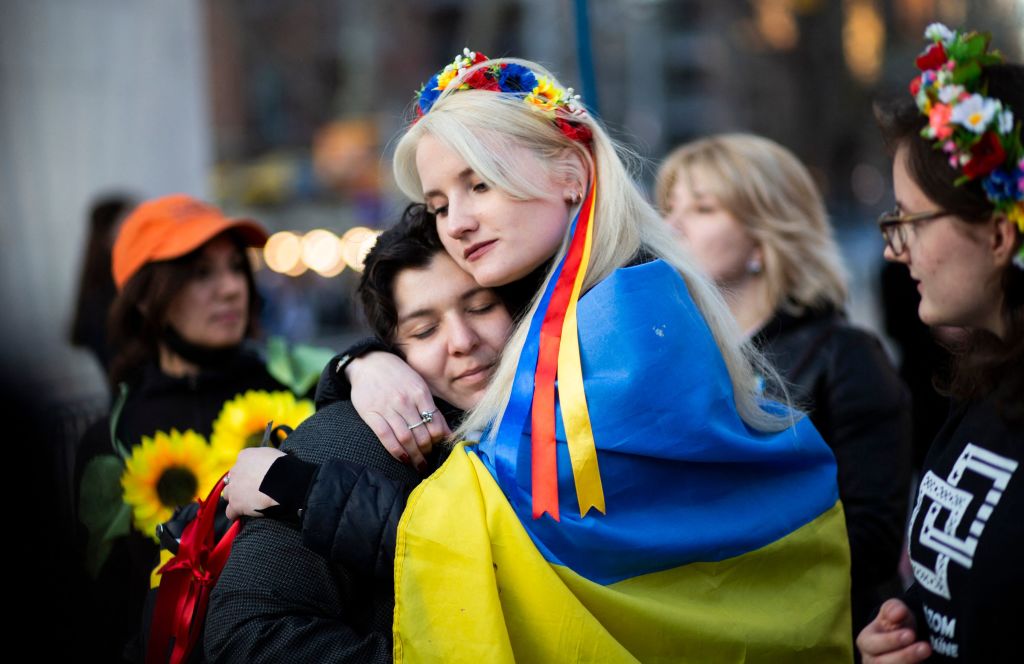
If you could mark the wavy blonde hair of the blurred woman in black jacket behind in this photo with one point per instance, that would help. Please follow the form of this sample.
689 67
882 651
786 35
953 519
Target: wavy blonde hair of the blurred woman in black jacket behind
765 188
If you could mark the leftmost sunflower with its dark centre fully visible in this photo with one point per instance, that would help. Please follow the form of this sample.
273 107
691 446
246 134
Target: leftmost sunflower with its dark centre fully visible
166 472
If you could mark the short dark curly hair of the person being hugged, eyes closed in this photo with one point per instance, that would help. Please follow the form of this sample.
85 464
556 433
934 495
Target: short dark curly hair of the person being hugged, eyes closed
412 243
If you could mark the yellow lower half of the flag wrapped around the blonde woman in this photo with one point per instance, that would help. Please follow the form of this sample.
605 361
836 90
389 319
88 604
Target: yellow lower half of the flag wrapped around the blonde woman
471 587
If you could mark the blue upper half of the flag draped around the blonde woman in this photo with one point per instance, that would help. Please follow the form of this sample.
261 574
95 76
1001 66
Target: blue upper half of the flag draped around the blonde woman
686 480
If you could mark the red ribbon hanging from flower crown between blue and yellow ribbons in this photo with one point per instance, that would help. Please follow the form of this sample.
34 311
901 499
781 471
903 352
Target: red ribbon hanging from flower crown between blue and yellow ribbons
545 461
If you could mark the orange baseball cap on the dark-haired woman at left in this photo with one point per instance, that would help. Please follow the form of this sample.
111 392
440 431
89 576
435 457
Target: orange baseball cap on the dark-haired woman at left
173 227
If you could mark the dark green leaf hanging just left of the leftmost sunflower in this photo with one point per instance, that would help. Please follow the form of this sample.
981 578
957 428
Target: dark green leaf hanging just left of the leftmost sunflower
102 509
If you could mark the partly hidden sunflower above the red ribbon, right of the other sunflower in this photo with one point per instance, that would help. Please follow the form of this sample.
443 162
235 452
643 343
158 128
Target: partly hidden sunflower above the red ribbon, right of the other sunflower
243 420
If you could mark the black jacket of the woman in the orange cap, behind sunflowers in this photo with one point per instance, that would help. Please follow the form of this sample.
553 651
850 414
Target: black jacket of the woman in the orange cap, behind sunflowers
113 603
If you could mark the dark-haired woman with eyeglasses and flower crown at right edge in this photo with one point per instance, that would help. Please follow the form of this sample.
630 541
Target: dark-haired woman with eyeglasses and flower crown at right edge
959 178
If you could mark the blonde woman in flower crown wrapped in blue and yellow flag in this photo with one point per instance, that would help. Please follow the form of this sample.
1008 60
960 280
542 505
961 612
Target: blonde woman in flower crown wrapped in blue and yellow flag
624 493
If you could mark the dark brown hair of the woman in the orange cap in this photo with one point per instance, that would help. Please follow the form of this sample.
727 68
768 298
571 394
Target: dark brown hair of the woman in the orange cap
139 315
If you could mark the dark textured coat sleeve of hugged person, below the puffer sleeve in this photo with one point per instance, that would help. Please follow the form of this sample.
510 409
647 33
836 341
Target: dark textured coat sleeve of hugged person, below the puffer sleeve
278 602
